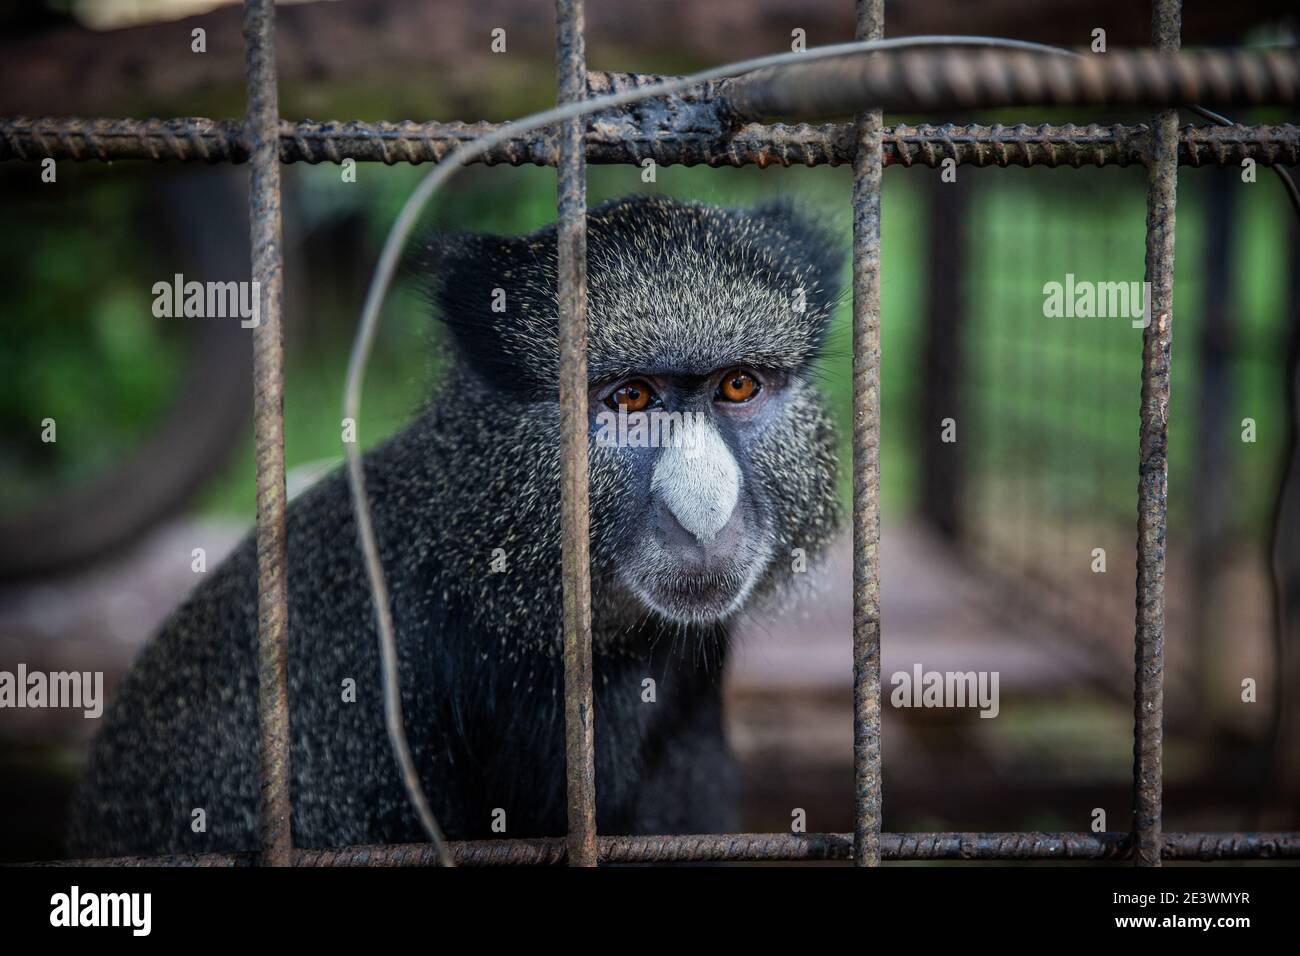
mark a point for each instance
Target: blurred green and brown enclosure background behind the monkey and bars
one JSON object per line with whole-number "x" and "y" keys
{"x": 989, "y": 542}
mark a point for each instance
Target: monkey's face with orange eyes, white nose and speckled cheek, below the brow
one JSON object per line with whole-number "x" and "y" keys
{"x": 704, "y": 483}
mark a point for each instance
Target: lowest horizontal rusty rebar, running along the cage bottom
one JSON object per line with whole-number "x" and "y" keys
{"x": 1206, "y": 847}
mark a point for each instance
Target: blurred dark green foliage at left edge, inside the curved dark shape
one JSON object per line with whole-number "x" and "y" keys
{"x": 83, "y": 347}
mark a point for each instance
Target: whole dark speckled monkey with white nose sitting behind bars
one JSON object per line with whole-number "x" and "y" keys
{"x": 717, "y": 315}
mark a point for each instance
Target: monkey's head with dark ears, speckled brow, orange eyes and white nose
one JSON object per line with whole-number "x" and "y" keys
{"x": 712, "y": 458}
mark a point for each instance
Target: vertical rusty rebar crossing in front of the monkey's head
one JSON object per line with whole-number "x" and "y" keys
{"x": 571, "y": 193}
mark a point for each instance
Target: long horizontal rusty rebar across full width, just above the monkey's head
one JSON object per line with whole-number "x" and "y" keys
{"x": 683, "y": 132}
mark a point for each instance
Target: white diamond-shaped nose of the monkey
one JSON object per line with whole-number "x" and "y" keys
{"x": 697, "y": 479}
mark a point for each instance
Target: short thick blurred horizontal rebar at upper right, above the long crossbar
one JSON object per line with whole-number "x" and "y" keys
{"x": 961, "y": 79}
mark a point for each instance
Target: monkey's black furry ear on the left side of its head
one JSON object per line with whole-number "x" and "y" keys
{"x": 496, "y": 296}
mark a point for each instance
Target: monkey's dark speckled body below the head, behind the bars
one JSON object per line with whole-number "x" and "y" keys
{"x": 483, "y": 706}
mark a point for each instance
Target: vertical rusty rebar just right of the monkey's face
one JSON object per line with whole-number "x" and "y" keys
{"x": 868, "y": 168}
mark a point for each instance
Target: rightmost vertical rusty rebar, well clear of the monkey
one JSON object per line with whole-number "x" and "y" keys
{"x": 1154, "y": 469}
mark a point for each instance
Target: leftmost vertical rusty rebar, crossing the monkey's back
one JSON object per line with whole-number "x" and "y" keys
{"x": 268, "y": 362}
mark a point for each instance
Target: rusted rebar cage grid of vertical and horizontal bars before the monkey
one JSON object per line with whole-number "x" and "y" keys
{"x": 709, "y": 126}
